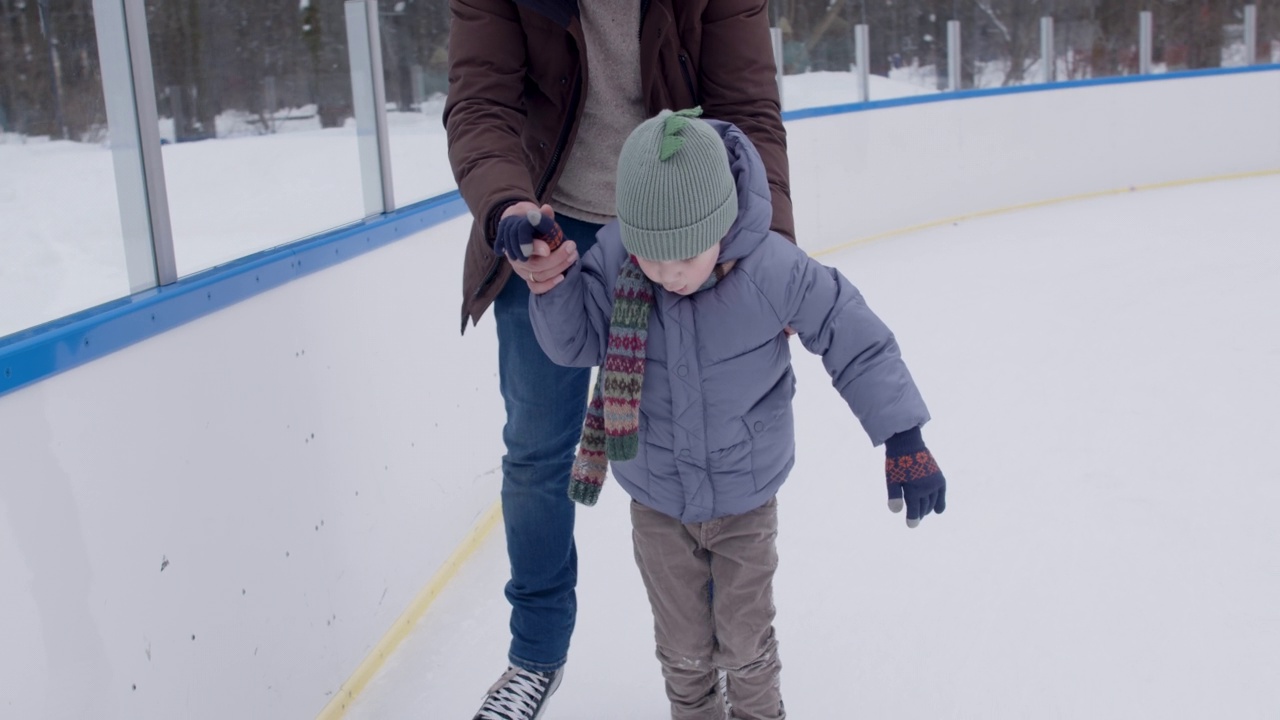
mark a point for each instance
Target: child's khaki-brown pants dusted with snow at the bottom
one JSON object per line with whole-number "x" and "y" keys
{"x": 711, "y": 589}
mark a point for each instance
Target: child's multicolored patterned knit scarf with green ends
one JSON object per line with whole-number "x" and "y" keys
{"x": 612, "y": 426}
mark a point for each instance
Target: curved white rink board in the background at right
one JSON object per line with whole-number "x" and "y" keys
{"x": 916, "y": 165}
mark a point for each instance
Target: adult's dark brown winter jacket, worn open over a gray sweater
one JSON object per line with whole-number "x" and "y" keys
{"x": 518, "y": 75}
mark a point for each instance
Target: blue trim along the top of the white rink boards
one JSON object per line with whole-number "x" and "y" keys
{"x": 45, "y": 350}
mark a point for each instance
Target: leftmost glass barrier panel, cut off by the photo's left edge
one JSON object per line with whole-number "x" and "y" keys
{"x": 62, "y": 248}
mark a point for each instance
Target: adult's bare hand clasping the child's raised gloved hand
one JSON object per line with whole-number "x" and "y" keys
{"x": 527, "y": 249}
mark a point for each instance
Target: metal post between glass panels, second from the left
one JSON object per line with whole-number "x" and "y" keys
{"x": 369, "y": 95}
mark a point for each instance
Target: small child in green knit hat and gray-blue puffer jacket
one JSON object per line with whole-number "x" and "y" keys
{"x": 684, "y": 303}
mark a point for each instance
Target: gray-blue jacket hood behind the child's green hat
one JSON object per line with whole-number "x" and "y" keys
{"x": 755, "y": 200}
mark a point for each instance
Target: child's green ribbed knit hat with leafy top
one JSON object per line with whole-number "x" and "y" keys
{"x": 676, "y": 193}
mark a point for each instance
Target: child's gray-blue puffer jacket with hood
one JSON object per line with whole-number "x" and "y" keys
{"x": 717, "y": 435}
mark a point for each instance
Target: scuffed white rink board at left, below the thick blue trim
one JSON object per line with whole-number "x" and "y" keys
{"x": 230, "y": 516}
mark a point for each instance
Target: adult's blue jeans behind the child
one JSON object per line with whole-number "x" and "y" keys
{"x": 546, "y": 405}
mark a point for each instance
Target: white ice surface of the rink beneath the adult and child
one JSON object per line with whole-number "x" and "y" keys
{"x": 1103, "y": 381}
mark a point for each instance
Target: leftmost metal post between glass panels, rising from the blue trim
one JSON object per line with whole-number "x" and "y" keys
{"x": 134, "y": 127}
